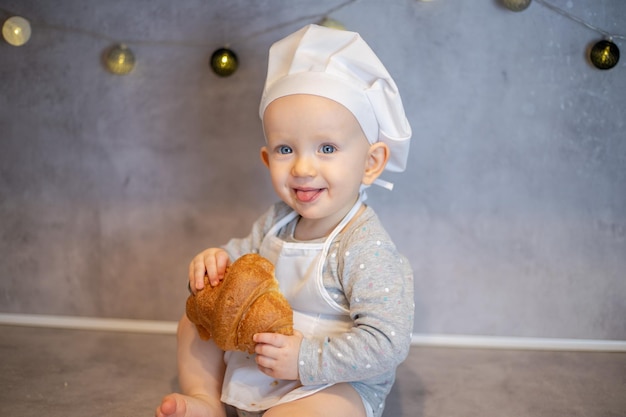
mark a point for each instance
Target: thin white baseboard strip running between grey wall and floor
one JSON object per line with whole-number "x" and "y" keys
{"x": 418, "y": 340}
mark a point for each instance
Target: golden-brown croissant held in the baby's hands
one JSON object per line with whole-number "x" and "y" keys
{"x": 245, "y": 302}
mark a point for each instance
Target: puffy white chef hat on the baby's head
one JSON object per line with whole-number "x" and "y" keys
{"x": 339, "y": 65}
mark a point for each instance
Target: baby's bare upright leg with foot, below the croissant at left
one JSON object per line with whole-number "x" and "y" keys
{"x": 200, "y": 373}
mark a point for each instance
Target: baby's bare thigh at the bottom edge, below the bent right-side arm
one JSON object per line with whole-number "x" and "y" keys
{"x": 336, "y": 401}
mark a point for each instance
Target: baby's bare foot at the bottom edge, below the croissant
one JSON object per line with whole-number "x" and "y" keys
{"x": 177, "y": 405}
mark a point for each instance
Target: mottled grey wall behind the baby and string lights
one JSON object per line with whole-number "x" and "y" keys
{"x": 512, "y": 210}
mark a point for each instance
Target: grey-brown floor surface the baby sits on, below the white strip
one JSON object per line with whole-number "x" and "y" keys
{"x": 67, "y": 373}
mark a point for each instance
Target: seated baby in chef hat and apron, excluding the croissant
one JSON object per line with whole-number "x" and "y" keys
{"x": 333, "y": 122}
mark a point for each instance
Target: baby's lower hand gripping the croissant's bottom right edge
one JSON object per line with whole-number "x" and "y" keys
{"x": 277, "y": 354}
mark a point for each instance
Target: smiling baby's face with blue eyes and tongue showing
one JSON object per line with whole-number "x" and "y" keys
{"x": 317, "y": 155}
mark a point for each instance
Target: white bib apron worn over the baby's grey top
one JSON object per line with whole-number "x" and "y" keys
{"x": 298, "y": 268}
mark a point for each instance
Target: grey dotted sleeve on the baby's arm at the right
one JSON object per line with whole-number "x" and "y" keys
{"x": 378, "y": 285}
